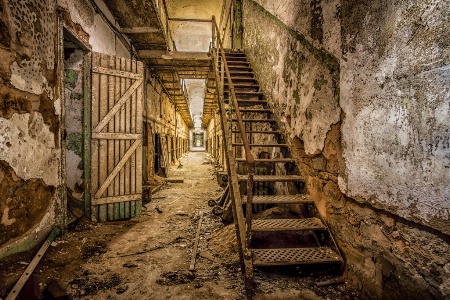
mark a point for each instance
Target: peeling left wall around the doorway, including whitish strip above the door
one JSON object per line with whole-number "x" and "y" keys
{"x": 31, "y": 201}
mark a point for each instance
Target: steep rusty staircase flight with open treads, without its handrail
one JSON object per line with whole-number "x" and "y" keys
{"x": 309, "y": 241}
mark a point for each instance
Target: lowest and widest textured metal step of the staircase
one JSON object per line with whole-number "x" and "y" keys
{"x": 294, "y": 256}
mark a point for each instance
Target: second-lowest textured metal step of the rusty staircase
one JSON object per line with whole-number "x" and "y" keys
{"x": 287, "y": 224}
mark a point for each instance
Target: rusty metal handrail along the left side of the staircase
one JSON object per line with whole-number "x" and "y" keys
{"x": 243, "y": 224}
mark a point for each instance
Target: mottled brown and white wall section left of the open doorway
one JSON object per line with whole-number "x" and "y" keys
{"x": 29, "y": 126}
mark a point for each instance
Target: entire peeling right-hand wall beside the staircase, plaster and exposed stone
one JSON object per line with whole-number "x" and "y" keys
{"x": 362, "y": 91}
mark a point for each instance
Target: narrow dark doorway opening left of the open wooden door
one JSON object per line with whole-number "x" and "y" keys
{"x": 76, "y": 95}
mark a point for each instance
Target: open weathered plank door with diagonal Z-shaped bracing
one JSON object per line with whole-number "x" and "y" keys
{"x": 116, "y": 160}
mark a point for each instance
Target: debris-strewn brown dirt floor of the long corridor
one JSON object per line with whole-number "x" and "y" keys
{"x": 148, "y": 257}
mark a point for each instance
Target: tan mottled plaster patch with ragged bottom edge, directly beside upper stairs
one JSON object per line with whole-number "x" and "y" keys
{"x": 299, "y": 79}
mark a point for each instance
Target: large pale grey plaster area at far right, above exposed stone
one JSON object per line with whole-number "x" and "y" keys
{"x": 396, "y": 97}
